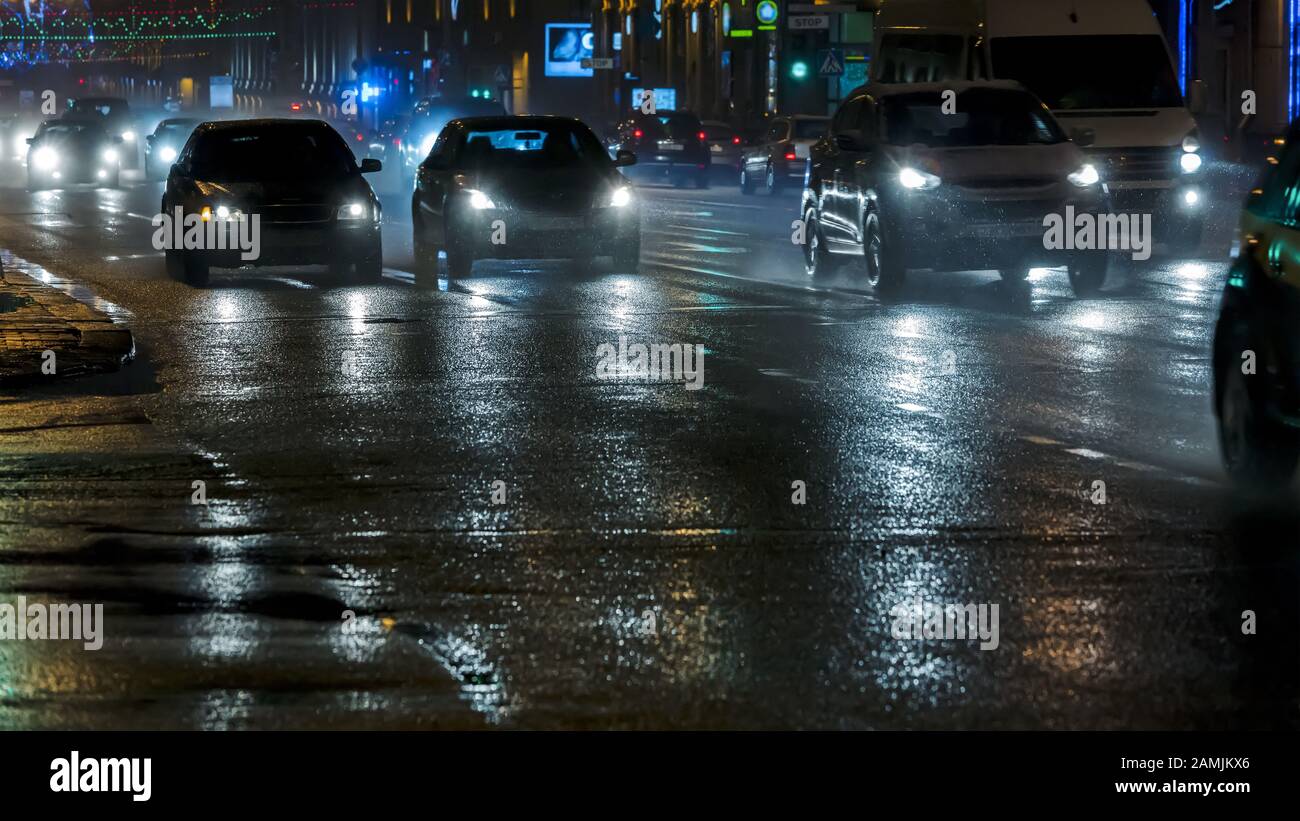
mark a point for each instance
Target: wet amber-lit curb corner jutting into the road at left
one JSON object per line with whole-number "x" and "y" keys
{"x": 37, "y": 318}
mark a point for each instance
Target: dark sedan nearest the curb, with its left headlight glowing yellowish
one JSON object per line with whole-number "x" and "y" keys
{"x": 276, "y": 193}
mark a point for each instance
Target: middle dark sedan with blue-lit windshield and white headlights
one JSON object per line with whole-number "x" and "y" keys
{"x": 523, "y": 189}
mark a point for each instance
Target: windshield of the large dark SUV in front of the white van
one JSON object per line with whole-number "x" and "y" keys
{"x": 983, "y": 118}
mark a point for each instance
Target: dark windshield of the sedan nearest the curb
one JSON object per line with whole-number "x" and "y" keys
{"x": 272, "y": 153}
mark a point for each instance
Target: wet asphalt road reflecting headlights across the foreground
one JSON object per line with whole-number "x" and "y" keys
{"x": 648, "y": 567}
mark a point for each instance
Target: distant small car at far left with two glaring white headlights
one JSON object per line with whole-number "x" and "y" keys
{"x": 73, "y": 151}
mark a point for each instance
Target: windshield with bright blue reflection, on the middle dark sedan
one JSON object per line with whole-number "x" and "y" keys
{"x": 534, "y": 147}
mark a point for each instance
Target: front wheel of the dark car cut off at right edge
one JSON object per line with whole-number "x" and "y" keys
{"x": 1259, "y": 454}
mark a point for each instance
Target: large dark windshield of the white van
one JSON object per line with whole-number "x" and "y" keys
{"x": 1073, "y": 73}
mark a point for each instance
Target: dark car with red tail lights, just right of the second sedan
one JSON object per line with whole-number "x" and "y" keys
{"x": 670, "y": 147}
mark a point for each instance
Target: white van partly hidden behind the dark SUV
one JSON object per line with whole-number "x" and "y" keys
{"x": 1104, "y": 69}
